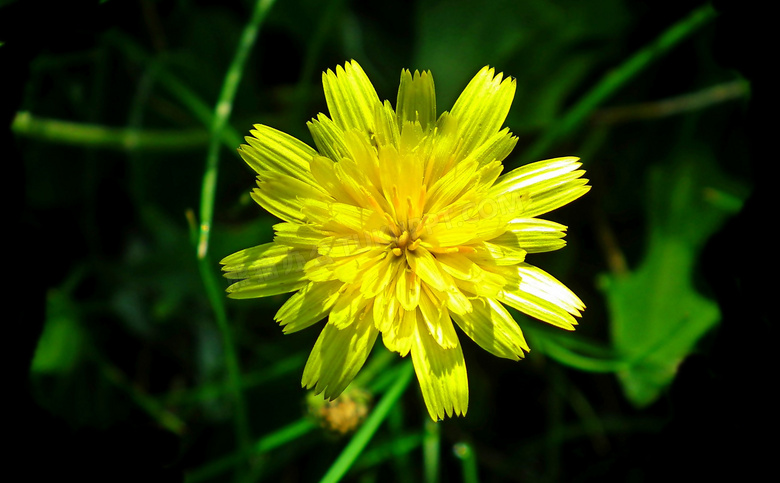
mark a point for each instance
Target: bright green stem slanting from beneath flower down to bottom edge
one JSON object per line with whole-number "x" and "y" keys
{"x": 361, "y": 438}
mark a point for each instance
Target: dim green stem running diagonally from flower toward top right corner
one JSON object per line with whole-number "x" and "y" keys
{"x": 617, "y": 78}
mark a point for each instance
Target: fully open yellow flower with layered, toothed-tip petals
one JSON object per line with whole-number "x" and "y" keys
{"x": 401, "y": 223}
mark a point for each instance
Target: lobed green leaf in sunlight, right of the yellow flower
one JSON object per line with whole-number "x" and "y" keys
{"x": 657, "y": 316}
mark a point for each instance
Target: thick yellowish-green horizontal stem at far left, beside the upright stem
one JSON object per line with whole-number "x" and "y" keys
{"x": 97, "y": 136}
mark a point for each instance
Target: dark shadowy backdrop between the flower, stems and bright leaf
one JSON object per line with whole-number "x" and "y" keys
{"x": 101, "y": 241}
